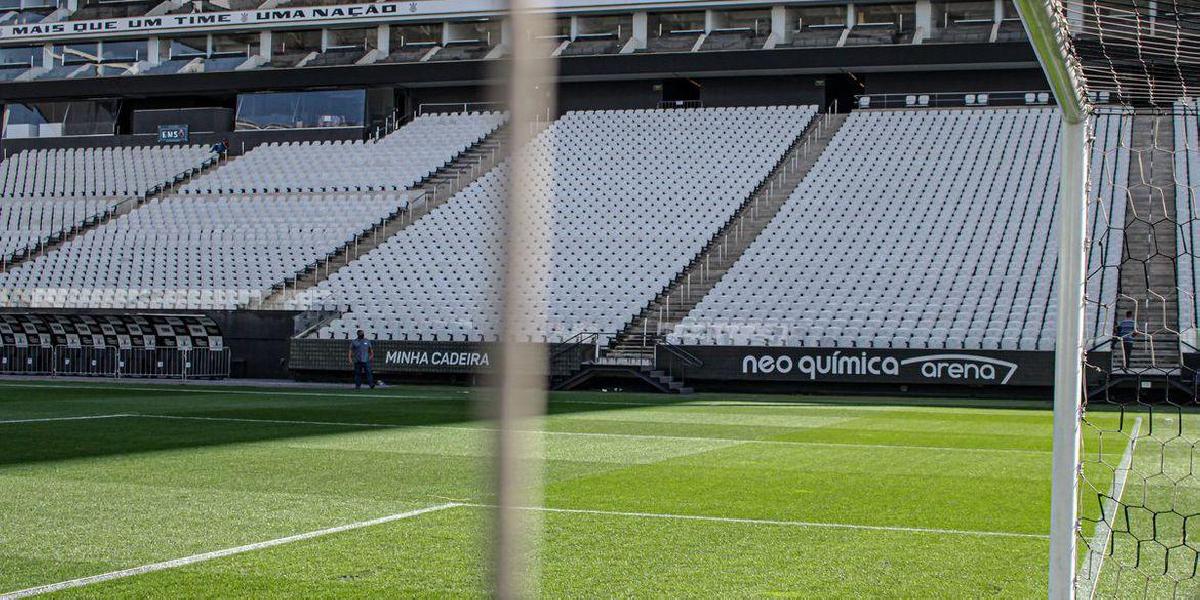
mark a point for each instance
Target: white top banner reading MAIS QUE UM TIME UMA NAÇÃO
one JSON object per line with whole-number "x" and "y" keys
{"x": 373, "y": 14}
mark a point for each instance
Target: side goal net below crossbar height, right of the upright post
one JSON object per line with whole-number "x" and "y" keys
{"x": 1139, "y": 493}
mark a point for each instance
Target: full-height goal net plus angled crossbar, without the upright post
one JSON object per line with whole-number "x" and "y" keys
{"x": 1135, "y": 67}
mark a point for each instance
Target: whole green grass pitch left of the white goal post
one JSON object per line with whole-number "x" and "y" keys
{"x": 943, "y": 499}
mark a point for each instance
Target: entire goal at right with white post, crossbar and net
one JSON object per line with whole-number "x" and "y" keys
{"x": 1118, "y": 225}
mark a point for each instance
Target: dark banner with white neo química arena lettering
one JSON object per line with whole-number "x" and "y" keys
{"x": 872, "y": 365}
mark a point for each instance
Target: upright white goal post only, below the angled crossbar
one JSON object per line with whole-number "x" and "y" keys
{"x": 1069, "y": 359}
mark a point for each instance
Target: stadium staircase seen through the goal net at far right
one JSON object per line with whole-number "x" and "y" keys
{"x": 1150, "y": 241}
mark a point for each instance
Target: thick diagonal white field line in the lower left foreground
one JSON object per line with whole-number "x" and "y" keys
{"x": 220, "y": 554}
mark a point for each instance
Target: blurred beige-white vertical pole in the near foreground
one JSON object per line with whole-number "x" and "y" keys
{"x": 523, "y": 367}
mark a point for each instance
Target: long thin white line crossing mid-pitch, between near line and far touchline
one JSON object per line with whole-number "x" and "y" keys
{"x": 591, "y": 434}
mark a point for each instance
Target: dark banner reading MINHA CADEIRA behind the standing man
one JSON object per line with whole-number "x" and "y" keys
{"x": 395, "y": 357}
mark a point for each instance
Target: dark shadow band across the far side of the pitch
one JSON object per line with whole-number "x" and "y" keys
{"x": 333, "y": 411}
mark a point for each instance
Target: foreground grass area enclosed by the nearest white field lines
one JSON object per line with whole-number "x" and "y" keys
{"x": 445, "y": 555}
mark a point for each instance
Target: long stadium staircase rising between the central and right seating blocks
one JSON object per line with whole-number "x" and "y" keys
{"x": 689, "y": 287}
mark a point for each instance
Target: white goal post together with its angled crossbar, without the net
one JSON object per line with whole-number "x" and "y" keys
{"x": 1049, "y": 41}
